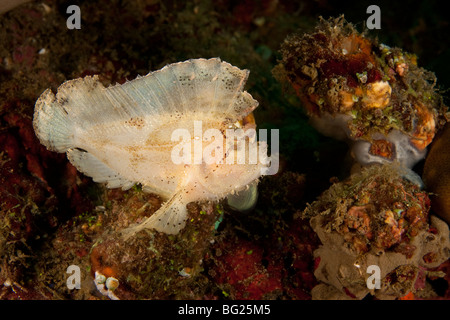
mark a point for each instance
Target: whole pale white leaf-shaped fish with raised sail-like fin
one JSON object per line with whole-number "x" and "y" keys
{"x": 122, "y": 135}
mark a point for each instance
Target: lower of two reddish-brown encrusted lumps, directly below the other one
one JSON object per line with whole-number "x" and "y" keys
{"x": 376, "y": 217}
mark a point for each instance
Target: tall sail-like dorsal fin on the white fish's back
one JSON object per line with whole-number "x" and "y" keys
{"x": 202, "y": 86}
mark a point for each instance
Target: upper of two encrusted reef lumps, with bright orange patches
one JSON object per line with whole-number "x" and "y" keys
{"x": 368, "y": 93}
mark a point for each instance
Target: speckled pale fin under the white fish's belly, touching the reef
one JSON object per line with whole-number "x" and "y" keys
{"x": 169, "y": 219}
